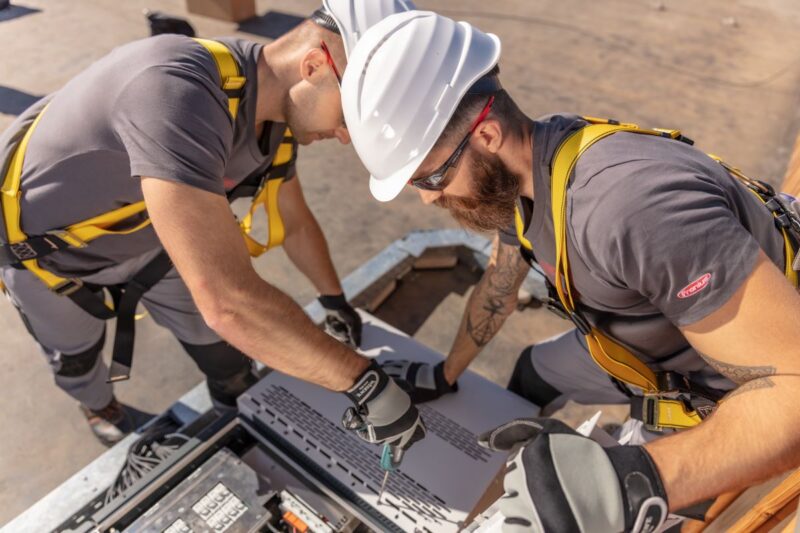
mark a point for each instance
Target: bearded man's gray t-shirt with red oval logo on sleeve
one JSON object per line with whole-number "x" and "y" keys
{"x": 659, "y": 236}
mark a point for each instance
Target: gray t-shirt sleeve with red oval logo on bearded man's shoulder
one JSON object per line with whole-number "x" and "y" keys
{"x": 668, "y": 233}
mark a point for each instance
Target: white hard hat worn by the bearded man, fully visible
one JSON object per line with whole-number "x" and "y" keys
{"x": 403, "y": 82}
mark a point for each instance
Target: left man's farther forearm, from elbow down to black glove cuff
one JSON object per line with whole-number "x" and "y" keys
{"x": 308, "y": 250}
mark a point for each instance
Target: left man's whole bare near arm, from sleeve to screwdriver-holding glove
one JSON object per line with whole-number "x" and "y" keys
{"x": 246, "y": 311}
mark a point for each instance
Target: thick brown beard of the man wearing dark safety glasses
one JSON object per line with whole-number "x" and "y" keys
{"x": 495, "y": 192}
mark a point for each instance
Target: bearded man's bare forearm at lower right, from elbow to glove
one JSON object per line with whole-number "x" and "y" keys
{"x": 752, "y": 436}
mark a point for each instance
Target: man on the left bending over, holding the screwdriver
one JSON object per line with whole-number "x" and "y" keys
{"x": 123, "y": 180}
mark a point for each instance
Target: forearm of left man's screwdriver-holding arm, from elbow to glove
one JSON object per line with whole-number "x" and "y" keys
{"x": 270, "y": 327}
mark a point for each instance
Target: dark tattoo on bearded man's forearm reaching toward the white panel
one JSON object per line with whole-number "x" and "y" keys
{"x": 493, "y": 293}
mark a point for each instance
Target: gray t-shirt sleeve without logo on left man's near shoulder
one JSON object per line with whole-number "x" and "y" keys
{"x": 175, "y": 127}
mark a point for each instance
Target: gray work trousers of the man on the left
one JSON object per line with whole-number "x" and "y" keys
{"x": 62, "y": 329}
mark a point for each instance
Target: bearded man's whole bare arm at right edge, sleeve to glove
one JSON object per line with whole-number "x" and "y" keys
{"x": 754, "y": 340}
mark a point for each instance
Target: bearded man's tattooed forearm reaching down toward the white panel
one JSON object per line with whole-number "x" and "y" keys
{"x": 492, "y": 300}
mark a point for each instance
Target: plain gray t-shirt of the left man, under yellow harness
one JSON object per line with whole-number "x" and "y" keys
{"x": 152, "y": 107}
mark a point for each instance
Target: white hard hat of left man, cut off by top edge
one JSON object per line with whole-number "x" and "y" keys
{"x": 354, "y": 17}
